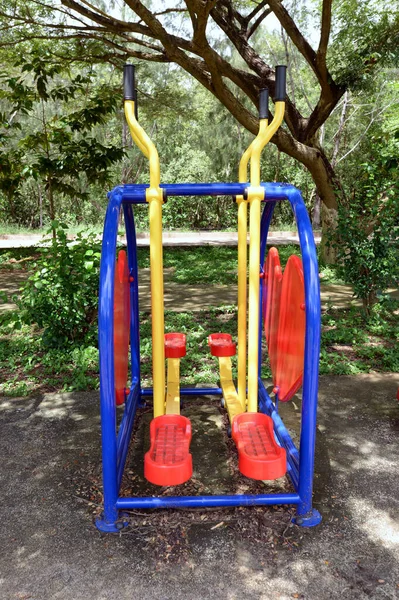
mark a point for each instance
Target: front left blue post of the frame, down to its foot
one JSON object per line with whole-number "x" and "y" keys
{"x": 107, "y": 522}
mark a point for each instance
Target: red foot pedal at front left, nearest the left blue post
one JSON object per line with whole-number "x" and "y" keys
{"x": 168, "y": 461}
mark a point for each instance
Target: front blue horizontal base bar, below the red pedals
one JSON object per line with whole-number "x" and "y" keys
{"x": 206, "y": 501}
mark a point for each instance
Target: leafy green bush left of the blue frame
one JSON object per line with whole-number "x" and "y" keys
{"x": 62, "y": 294}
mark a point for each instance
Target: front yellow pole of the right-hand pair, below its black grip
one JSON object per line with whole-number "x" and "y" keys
{"x": 255, "y": 196}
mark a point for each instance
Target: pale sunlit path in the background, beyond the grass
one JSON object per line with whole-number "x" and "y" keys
{"x": 170, "y": 238}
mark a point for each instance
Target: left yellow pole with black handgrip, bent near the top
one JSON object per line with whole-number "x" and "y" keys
{"x": 155, "y": 199}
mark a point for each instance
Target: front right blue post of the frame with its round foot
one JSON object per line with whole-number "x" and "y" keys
{"x": 306, "y": 515}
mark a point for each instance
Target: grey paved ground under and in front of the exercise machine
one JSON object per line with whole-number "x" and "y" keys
{"x": 50, "y": 549}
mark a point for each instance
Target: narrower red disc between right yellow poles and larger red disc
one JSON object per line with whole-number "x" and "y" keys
{"x": 271, "y": 304}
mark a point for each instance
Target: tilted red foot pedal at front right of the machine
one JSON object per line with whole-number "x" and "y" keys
{"x": 259, "y": 456}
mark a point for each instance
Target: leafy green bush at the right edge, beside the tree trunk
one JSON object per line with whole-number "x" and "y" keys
{"x": 367, "y": 244}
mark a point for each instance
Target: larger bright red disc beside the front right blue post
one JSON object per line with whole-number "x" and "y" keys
{"x": 291, "y": 331}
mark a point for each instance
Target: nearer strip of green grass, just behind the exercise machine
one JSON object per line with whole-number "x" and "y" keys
{"x": 350, "y": 344}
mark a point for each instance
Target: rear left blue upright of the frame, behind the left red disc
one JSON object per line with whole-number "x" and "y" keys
{"x": 134, "y": 293}
